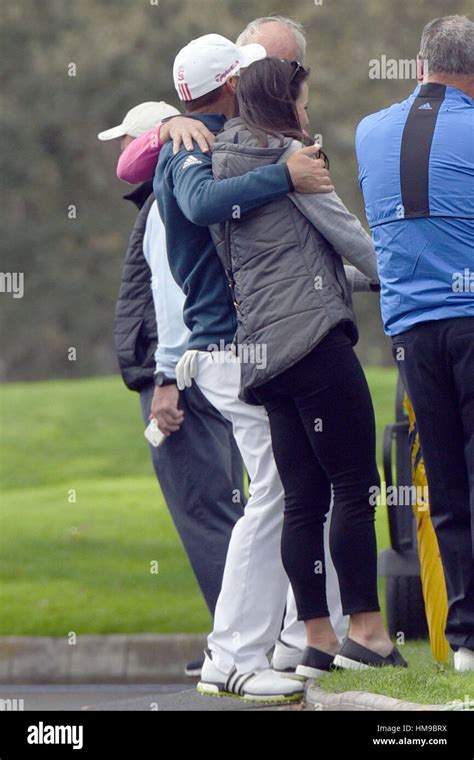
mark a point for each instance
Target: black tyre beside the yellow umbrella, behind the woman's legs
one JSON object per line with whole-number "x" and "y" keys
{"x": 405, "y": 607}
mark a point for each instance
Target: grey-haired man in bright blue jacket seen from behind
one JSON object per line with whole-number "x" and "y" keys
{"x": 416, "y": 162}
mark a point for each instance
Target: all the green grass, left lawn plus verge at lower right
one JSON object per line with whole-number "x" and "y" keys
{"x": 85, "y": 566}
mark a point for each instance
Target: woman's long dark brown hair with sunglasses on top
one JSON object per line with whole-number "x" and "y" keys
{"x": 267, "y": 93}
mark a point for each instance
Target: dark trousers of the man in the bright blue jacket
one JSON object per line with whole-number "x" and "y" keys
{"x": 436, "y": 362}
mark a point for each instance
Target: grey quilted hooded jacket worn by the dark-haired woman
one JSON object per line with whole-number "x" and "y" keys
{"x": 284, "y": 263}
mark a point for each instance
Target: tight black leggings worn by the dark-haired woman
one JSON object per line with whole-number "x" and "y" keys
{"x": 323, "y": 432}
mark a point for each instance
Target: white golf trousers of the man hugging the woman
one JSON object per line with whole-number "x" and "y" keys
{"x": 255, "y": 588}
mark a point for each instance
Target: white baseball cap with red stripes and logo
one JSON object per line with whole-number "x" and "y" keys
{"x": 206, "y": 63}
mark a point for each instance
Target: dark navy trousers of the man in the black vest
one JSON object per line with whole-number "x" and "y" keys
{"x": 200, "y": 472}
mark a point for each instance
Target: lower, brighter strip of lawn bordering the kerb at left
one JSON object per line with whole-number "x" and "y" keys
{"x": 86, "y": 567}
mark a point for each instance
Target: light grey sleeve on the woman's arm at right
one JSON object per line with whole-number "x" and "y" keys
{"x": 331, "y": 218}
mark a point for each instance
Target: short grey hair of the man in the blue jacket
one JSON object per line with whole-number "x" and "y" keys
{"x": 447, "y": 44}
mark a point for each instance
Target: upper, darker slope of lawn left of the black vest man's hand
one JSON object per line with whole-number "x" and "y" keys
{"x": 62, "y": 431}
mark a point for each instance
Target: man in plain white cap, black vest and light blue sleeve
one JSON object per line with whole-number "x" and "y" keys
{"x": 198, "y": 466}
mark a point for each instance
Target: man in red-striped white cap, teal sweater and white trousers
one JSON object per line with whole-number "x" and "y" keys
{"x": 251, "y": 605}
